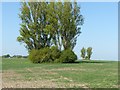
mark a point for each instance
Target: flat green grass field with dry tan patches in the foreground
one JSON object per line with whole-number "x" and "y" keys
{"x": 21, "y": 73}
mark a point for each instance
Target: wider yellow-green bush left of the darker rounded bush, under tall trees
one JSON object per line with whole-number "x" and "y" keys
{"x": 44, "y": 55}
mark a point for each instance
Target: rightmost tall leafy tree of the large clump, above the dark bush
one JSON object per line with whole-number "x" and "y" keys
{"x": 70, "y": 24}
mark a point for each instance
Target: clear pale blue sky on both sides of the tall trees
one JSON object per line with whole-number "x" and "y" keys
{"x": 100, "y": 29}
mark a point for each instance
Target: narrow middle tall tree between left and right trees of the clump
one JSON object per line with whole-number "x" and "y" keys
{"x": 53, "y": 17}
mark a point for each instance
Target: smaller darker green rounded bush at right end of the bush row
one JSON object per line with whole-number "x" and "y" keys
{"x": 67, "y": 56}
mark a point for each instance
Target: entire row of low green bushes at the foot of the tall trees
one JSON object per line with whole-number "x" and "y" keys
{"x": 52, "y": 55}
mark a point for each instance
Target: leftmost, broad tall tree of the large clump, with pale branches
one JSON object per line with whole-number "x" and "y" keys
{"x": 32, "y": 31}
